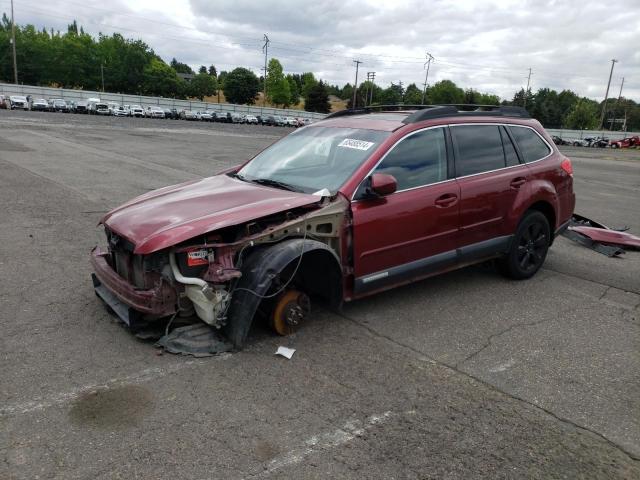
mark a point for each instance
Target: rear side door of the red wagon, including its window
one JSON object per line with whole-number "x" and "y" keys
{"x": 492, "y": 179}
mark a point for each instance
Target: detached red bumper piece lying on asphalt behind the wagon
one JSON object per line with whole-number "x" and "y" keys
{"x": 611, "y": 242}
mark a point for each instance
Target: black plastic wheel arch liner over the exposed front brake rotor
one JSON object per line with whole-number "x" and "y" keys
{"x": 319, "y": 271}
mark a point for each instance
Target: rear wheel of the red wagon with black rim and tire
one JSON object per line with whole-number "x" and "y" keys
{"x": 528, "y": 248}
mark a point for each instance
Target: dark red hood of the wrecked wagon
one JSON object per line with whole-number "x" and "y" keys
{"x": 170, "y": 215}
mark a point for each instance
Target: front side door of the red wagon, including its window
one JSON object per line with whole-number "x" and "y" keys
{"x": 412, "y": 232}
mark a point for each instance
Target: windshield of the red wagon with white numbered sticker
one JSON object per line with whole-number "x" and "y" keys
{"x": 312, "y": 159}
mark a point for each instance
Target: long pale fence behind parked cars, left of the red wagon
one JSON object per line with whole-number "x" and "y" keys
{"x": 76, "y": 95}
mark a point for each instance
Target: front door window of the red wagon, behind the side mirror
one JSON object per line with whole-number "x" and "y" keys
{"x": 419, "y": 159}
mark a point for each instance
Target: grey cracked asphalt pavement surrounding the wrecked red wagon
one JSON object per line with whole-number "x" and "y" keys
{"x": 466, "y": 375}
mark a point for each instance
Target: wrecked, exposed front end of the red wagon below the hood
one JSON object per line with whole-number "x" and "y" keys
{"x": 224, "y": 277}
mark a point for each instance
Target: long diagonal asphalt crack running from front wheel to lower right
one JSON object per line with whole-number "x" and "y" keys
{"x": 454, "y": 368}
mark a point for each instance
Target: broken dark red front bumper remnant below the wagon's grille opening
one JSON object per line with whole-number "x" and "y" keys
{"x": 159, "y": 301}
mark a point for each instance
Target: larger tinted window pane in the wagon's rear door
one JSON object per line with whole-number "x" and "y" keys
{"x": 478, "y": 149}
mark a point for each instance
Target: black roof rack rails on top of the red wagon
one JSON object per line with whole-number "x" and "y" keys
{"x": 425, "y": 112}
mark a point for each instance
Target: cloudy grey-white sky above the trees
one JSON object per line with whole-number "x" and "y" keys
{"x": 488, "y": 45}
